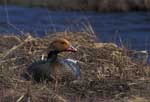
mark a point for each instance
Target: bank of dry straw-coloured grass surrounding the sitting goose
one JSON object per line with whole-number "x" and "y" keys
{"x": 107, "y": 72}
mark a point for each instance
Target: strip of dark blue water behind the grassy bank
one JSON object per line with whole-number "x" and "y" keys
{"x": 131, "y": 29}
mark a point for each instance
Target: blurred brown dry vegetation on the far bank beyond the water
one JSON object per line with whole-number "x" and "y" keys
{"x": 96, "y": 5}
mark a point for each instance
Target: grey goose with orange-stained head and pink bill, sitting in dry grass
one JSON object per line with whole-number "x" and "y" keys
{"x": 54, "y": 68}
